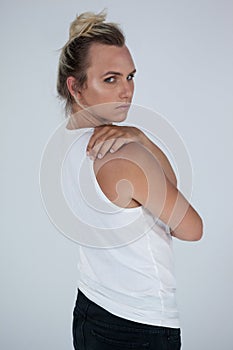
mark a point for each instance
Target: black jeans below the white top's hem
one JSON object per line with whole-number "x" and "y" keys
{"x": 94, "y": 328}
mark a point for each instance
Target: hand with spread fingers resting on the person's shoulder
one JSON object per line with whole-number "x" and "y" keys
{"x": 109, "y": 138}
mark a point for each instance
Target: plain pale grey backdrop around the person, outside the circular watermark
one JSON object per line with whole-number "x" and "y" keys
{"x": 183, "y": 51}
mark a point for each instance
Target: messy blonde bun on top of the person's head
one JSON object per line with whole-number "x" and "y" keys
{"x": 83, "y": 24}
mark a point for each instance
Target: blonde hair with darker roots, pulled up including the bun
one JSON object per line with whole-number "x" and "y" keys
{"x": 86, "y": 29}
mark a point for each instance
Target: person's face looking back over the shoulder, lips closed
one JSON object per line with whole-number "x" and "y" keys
{"x": 109, "y": 87}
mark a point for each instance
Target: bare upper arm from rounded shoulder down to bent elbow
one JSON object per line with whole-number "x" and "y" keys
{"x": 134, "y": 173}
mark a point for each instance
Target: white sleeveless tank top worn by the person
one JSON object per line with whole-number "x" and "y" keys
{"x": 126, "y": 259}
